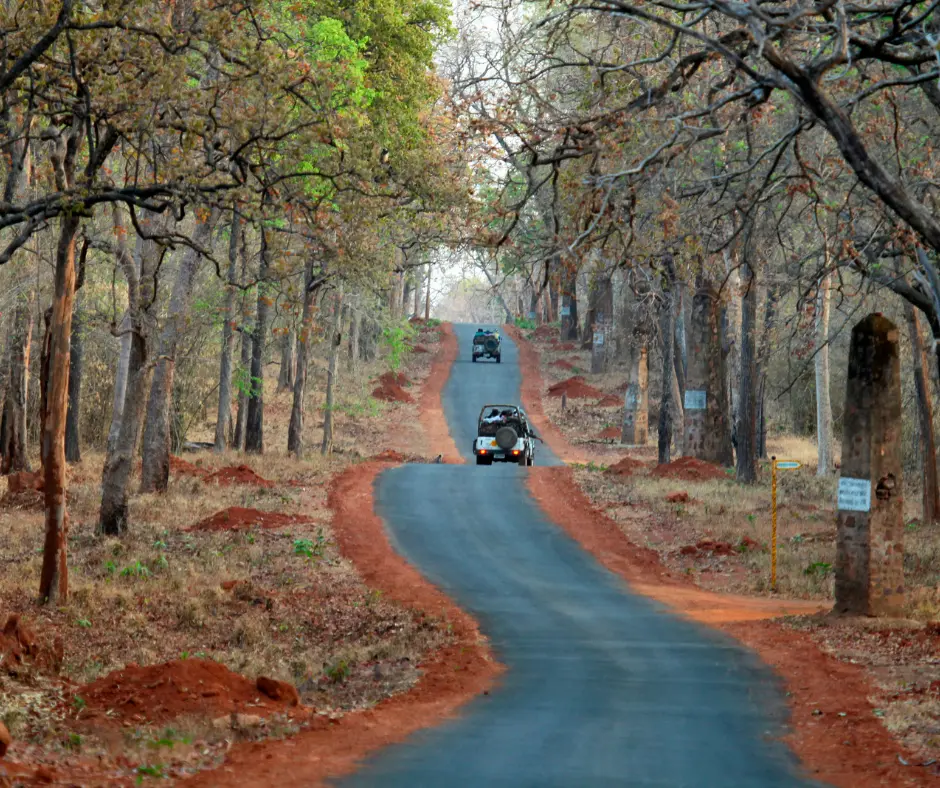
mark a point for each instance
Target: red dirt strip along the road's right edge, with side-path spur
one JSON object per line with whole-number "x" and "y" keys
{"x": 850, "y": 751}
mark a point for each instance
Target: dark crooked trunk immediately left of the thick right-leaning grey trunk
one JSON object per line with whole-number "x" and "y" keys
{"x": 115, "y": 478}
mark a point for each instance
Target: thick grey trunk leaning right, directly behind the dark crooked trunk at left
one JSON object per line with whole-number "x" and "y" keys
{"x": 155, "y": 471}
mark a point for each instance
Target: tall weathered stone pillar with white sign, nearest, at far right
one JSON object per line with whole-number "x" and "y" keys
{"x": 869, "y": 573}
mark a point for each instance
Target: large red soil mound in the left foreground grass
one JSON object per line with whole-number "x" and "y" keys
{"x": 159, "y": 693}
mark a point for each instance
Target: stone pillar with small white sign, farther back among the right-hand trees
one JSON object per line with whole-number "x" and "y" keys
{"x": 707, "y": 436}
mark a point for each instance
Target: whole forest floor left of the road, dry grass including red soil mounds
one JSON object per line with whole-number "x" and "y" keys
{"x": 151, "y": 669}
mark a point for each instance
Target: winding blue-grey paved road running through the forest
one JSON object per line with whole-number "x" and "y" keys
{"x": 604, "y": 687}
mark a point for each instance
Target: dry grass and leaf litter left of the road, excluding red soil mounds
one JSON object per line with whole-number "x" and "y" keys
{"x": 299, "y": 611}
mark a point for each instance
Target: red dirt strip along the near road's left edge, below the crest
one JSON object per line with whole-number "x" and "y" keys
{"x": 450, "y": 677}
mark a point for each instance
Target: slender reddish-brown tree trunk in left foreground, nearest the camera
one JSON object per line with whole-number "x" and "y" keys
{"x": 54, "y": 578}
